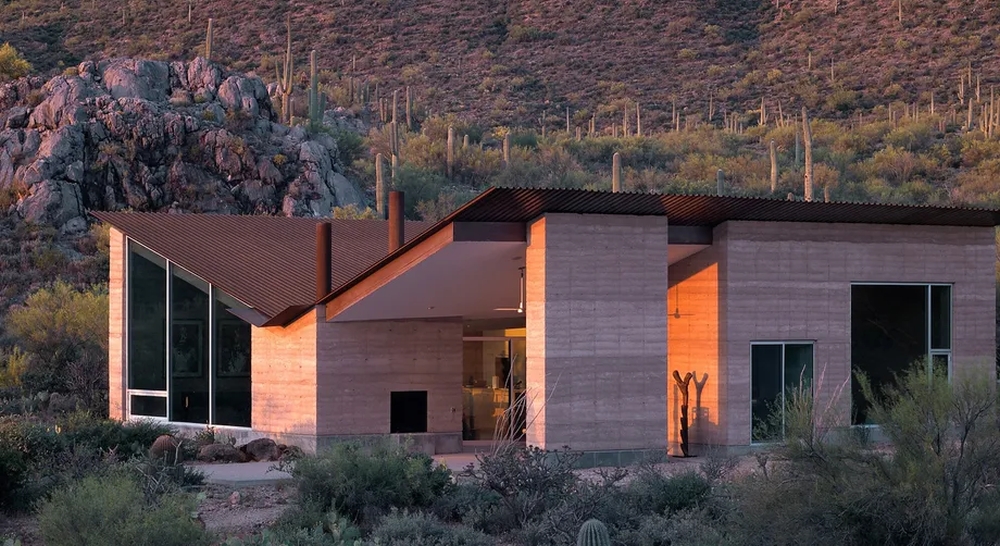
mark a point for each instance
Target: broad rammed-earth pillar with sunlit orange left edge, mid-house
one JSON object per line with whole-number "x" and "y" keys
{"x": 597, "y": 332}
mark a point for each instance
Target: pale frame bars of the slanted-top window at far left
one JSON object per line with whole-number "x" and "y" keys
{"x": 126, "y": 350}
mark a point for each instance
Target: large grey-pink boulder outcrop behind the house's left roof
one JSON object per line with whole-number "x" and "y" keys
{"x": 151, "y": 135}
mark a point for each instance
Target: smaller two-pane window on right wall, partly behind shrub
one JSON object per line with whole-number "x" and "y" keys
{"x": 777, "y": 371}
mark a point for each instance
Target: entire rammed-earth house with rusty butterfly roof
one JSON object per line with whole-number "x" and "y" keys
{"x": 558, "y": 316}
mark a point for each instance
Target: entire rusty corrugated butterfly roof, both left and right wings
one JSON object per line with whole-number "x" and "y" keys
{"x": 267, "y": 262}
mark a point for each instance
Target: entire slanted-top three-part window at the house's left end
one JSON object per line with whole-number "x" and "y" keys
{"x": 179, "y": 323}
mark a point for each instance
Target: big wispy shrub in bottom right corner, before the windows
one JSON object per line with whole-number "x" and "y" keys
{"x": 934, "y": 486}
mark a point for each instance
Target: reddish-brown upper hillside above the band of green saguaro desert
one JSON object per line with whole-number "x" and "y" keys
{"x": 515, "y": 62}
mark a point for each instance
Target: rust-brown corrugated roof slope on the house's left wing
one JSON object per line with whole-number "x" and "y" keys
{"x": 267, "y": 262}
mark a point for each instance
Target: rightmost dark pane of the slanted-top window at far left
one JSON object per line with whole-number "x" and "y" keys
{"x": 232, "y": 365}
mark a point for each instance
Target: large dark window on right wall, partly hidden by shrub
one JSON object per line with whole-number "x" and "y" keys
{"x": 893, "y": 327}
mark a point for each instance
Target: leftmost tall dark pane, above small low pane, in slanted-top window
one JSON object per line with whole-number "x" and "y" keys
{"x": 147, "y": 320}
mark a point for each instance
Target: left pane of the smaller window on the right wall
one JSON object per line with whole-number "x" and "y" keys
{"x": 766, "y": 391}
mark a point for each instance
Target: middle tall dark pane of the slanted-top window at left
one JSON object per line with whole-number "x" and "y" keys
{"x": 188, "y": 348}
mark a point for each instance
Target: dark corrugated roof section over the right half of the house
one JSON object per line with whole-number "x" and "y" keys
{"x": 523, "y": 204}
